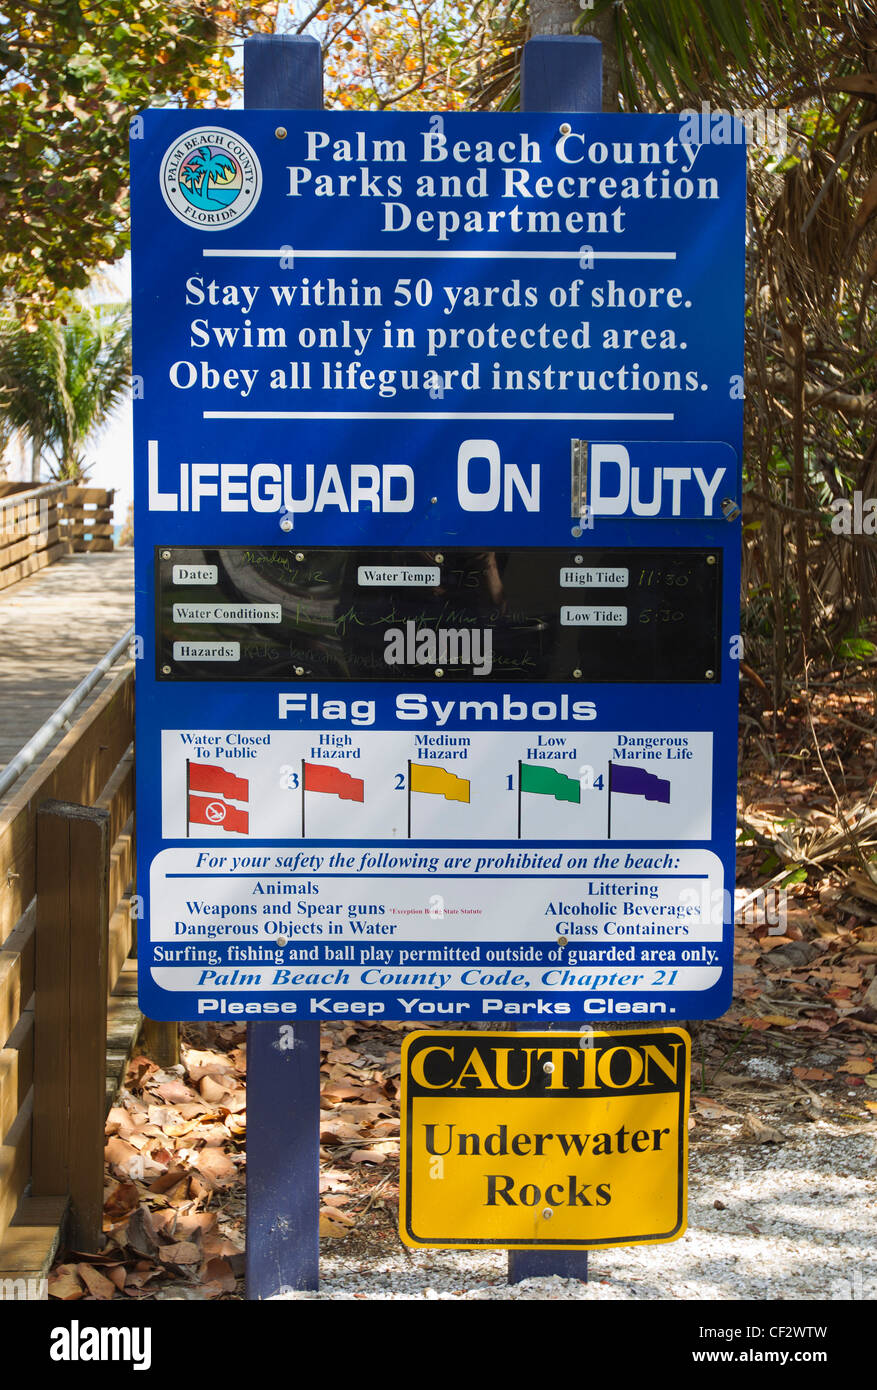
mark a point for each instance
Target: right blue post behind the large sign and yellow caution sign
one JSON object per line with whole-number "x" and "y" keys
{"x": 559, "y": 73}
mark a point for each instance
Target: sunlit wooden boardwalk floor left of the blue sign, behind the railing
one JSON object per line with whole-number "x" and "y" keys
{"x": 55, "y": 628}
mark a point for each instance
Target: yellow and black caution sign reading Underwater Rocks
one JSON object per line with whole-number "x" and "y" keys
{"x": 544, "y": 1140}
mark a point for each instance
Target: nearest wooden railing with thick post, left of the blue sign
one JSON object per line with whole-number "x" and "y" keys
{"x": 67, "y": 875}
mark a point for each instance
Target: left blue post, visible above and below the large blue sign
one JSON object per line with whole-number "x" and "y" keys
{"x": 283, "y": 1179}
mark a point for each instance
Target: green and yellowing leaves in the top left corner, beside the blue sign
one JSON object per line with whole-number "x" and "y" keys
{"x": 73, "y": 74}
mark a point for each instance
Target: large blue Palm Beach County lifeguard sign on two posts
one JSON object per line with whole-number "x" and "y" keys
{"x": 438, "y": 437}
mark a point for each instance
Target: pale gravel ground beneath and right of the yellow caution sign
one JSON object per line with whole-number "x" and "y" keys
{"x": 796, "y": 1221}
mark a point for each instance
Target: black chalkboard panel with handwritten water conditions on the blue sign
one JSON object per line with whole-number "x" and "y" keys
{"x": 429, "y": 615}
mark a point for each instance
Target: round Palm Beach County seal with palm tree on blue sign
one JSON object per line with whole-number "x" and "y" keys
{"x": 211, "y": 179}
